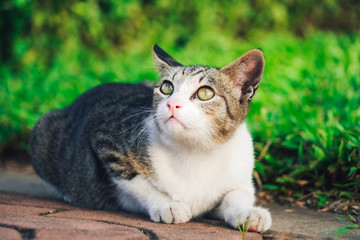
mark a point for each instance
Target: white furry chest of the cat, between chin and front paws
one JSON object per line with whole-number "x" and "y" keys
{"x": 200, "y": 180}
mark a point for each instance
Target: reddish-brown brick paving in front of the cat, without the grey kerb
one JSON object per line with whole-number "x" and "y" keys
{"x": 50, "y": 219}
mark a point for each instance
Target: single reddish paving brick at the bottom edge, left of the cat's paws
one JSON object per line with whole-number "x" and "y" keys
{"x": 62, "y": 228}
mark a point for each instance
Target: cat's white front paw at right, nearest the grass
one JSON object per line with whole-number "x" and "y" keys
{"x": 258, "y": 218}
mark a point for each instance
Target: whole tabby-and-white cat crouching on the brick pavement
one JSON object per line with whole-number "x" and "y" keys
{"x": 175, "y": 151}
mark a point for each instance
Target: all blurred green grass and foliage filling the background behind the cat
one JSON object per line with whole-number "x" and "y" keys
{"x": 304, "y": 118}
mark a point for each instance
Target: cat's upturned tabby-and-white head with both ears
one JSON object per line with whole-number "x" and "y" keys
{"x": 203, "y": 106}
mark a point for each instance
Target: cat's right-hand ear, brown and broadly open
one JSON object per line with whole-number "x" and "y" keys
{"x": 245, "y": 73}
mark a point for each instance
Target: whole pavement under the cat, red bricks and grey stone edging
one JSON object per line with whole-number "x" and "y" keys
{"x": 28, "y": 211}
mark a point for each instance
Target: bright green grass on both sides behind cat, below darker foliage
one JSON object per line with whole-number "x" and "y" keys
{"x": 304, "y": 118}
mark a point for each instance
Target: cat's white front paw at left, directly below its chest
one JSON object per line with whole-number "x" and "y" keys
{"x": 173, "y": 212}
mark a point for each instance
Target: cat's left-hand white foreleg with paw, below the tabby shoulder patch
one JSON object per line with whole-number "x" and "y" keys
{"x": 140, "y": 195}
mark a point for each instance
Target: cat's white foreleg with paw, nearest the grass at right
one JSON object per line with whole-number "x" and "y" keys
{"x": 237, "y": 208}
